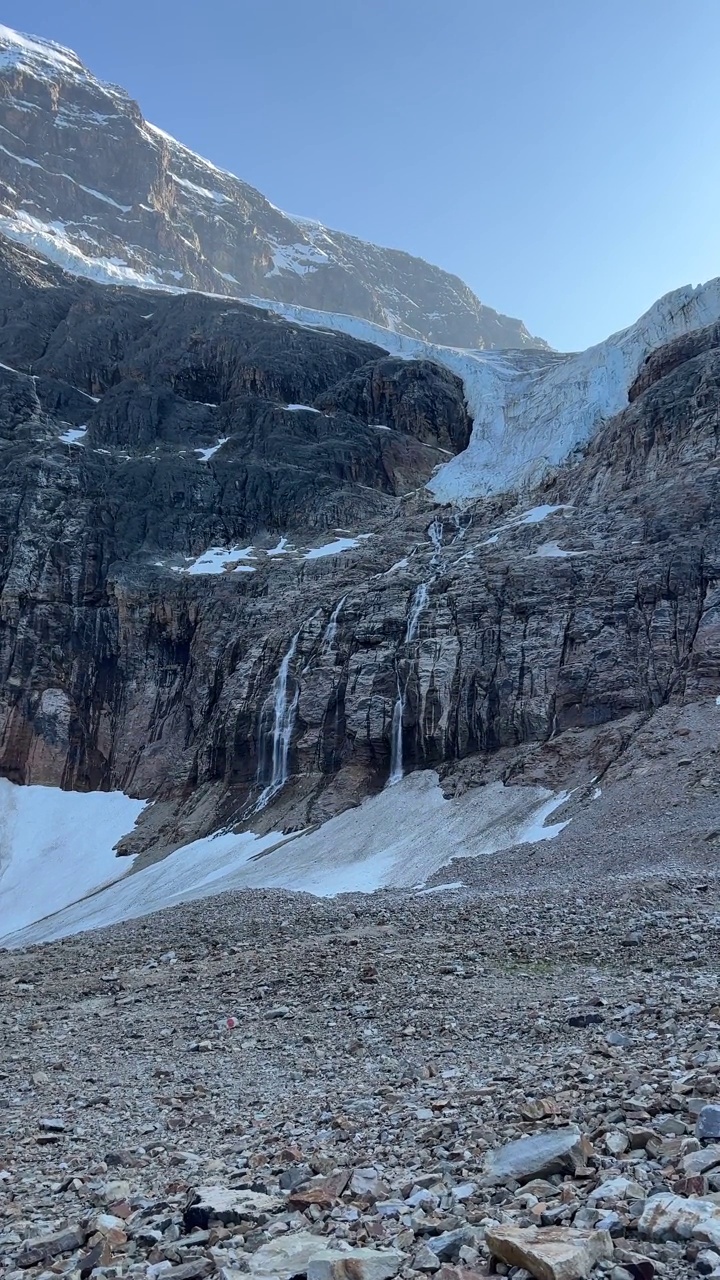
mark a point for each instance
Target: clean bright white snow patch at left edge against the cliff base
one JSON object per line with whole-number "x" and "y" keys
{"x": 57, "y": 847}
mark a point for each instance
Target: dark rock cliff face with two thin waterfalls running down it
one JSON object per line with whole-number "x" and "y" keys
{"x": 225, "y": 587}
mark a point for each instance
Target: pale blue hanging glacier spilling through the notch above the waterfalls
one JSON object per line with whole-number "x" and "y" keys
{"x": 531, "y": 409}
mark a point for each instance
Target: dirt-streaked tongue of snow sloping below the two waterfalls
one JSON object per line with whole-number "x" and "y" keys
{"x": 395, "y": 840}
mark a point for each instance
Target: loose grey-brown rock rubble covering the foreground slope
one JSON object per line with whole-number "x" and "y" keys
{"x": 446, "y": 1086}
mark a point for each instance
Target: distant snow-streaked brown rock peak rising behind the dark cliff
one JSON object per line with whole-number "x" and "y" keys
{"x": 94, "y": 188}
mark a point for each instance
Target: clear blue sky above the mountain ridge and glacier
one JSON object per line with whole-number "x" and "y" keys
{"x": 559, "y": 156}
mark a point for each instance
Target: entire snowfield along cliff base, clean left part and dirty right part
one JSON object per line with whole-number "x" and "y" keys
{"x": 395, "y": 840}
